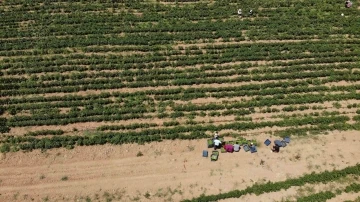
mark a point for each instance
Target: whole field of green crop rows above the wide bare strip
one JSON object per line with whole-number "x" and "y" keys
{"x": 146, "y": 62}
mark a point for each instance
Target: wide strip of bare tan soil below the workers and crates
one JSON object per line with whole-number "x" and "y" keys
{"x": 173, "y": 165}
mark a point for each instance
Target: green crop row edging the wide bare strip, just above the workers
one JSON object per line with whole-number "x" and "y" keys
{"x": 157, "y": 134}
